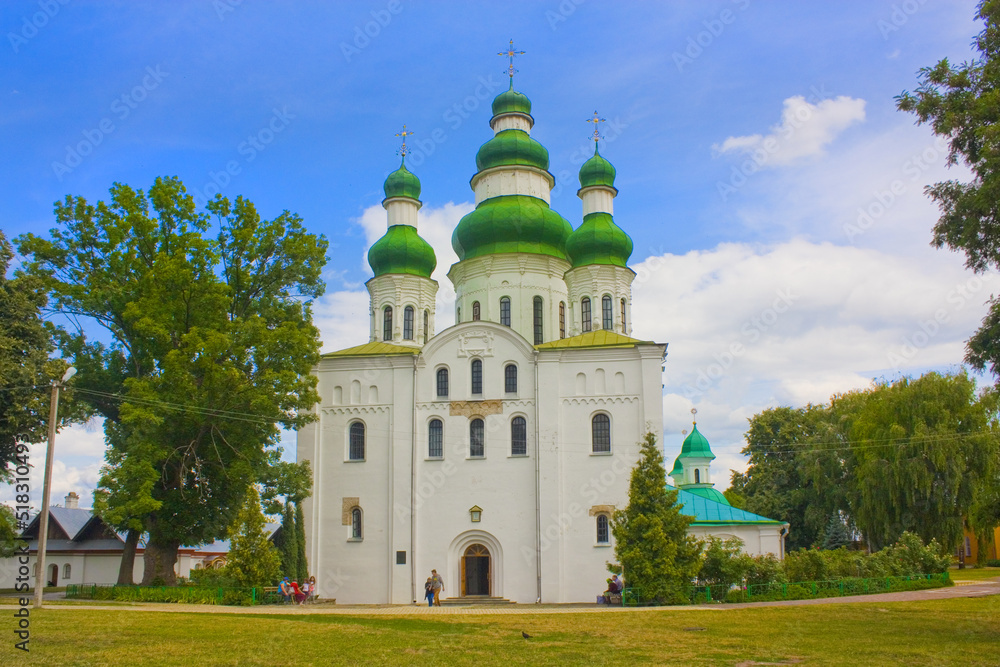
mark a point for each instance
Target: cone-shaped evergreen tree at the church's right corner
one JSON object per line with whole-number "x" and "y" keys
{"x": 656, "y": 555}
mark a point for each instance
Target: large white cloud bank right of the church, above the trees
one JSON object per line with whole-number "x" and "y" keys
{"x": 752, "y": 327}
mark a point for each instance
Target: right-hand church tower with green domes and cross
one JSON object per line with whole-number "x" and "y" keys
{"x": 599, "y": 282}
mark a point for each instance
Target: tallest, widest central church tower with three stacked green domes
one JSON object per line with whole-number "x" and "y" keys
{"x": 512, "y": 247}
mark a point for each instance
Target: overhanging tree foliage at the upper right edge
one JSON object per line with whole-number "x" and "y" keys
{"x": 962, "y": 105}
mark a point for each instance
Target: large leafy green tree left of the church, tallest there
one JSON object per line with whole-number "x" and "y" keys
{"x": 211, "y": 346}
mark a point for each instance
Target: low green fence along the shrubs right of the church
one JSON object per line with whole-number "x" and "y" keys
{"x": 799, "y": 590}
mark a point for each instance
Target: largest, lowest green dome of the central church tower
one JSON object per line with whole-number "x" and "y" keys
{"x": 511, "y": 223}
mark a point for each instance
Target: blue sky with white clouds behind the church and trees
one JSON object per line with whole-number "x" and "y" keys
{"x": 773, "y": 192}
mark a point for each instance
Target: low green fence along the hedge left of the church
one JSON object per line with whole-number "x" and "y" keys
{"x": 189, "y": 594}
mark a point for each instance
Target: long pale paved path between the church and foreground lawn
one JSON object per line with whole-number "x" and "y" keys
{"x": 966, "y": 590}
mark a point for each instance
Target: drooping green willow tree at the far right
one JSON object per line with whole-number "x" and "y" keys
{"x": 921, "y": 453}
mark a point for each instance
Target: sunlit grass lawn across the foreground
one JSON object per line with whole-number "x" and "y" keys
{"x": 938, "y": 632}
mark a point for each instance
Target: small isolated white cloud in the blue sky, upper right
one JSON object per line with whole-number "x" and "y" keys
{"x": 804, "y": 131}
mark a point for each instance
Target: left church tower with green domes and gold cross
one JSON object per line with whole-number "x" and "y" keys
{"x": 402, "y": 291}
